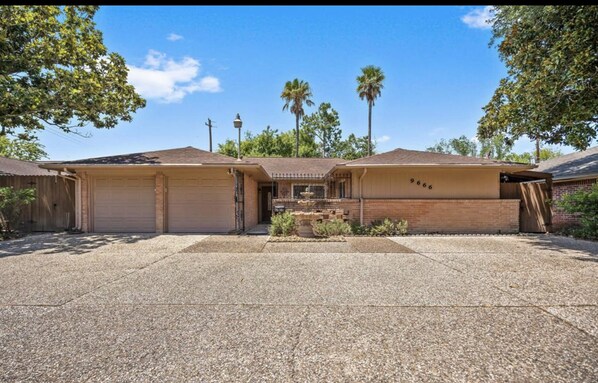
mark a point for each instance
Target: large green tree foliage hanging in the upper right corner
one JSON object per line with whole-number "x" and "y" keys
{"x": 551, "y": 88}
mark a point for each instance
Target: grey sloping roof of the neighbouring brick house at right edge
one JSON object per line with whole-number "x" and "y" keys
{"x": 574, "y": 165}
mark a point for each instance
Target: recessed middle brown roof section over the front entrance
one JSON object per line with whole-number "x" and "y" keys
{"x": 279, "y": 168}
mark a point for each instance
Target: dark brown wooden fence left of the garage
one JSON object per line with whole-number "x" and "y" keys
{"x": 54, "y": 205}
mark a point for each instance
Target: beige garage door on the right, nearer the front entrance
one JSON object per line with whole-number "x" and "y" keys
{"x": 203, "y": 203}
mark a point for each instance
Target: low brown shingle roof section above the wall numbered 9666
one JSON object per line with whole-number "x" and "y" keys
{"x": 415, "y": 157}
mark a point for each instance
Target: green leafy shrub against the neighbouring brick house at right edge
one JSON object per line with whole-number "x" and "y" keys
{"x": 584, "y": 203}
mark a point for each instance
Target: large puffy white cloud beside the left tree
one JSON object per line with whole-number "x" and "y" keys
{"x": 167, "y": 80}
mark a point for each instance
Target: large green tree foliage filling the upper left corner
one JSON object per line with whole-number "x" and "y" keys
{"x": 55, "y": 70}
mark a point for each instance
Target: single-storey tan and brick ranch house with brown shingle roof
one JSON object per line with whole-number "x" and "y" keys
{"x": 191, "y": 190}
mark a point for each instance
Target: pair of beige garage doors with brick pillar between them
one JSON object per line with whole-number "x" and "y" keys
{"x": 199, "y": 201}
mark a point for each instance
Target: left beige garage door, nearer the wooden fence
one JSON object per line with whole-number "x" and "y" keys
{"x": 124, "y": 204}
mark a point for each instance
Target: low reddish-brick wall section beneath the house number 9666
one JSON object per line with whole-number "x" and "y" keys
{"x": 448, "y": 215}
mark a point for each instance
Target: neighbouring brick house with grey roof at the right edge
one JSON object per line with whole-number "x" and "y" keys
{"x": 571, "y": 172}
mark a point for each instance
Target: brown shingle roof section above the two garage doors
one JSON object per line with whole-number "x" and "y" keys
{"x": 180, "y": 156}
